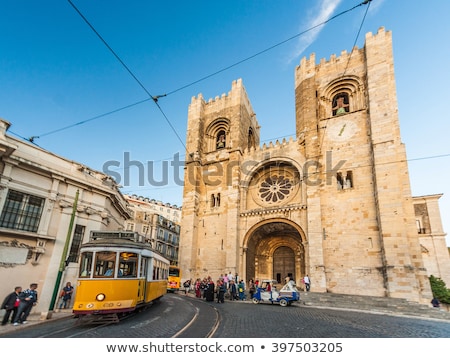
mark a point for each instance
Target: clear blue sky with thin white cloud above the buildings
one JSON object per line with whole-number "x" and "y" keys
{"x": 59, "y": 80}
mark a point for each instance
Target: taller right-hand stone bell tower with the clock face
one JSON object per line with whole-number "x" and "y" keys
{"x": 363, "y": 216}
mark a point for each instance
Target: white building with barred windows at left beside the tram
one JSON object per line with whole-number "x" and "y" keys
{"x": 48, "y": 207}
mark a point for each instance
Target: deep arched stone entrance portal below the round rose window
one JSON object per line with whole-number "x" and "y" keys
{"x": 275, "y": 249}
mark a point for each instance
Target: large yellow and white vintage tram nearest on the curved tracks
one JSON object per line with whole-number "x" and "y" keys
{"x": 119, "y": 273}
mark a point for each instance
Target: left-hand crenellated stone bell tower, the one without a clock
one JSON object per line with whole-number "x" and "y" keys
{"x": 218, "y": 133}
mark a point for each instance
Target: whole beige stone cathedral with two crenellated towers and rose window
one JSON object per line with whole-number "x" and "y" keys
{"x": 334, "y": 204}
